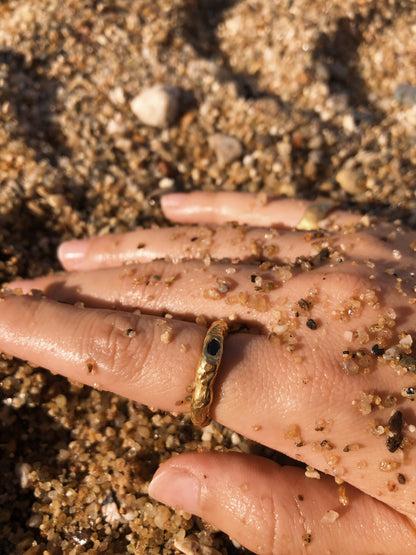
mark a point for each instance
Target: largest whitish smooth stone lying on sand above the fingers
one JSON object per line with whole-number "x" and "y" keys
{"x": 157, "y": 106}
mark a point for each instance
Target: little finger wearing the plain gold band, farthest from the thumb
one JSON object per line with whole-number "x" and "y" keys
{"x": 243, "y": 208}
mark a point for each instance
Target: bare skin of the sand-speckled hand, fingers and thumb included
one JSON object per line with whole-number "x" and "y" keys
{"x": 297, "y": 399}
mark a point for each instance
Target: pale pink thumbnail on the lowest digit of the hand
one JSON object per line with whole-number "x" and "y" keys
{"x": 176, "y": 487}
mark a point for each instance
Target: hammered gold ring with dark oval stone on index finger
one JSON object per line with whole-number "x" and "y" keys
{"x": 206, "y": 372}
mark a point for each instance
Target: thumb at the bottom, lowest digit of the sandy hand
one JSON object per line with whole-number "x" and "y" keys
{"x": 273, "y": 509}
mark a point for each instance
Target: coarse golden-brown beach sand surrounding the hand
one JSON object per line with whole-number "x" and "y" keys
{"x": 304, "y": 117}
